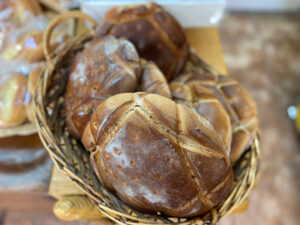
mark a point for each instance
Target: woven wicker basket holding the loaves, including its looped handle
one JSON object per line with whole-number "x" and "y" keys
{"x": 73, "y": 159}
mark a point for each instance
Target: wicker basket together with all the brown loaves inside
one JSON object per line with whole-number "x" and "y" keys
{"x": 147, "y": 145}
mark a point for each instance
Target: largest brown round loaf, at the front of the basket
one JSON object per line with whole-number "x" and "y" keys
{"x": 157, "y": 155}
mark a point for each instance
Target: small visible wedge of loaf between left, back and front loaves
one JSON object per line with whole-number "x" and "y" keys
{"x": 153, "y": 81}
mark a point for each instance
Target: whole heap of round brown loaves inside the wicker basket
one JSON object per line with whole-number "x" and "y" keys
{"x": 161, "y": 139}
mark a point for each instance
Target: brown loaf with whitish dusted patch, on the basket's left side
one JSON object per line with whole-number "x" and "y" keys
{"x": 105, "y": 67}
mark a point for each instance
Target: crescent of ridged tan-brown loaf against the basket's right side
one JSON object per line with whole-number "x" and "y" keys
{"x": 238, "y": 103}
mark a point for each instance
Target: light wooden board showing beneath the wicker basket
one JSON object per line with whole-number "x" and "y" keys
{"x": 207, "y": 43}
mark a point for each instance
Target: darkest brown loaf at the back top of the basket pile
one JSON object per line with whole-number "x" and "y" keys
{"x": 156, "y": 35}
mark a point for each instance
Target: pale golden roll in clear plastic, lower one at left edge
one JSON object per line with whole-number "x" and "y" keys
{"x": 13, "y": 99}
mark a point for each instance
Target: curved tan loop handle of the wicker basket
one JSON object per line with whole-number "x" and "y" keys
{"x": 57, "y": 20}
